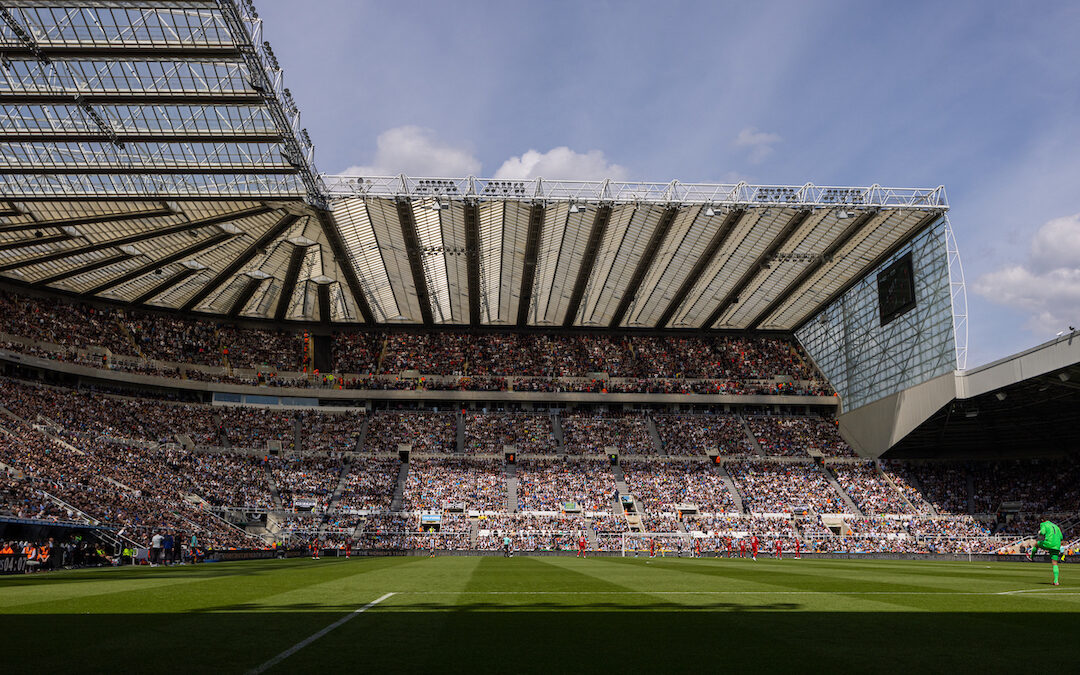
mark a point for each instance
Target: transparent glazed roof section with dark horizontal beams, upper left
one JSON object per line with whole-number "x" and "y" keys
{"x": 145, "y": 99}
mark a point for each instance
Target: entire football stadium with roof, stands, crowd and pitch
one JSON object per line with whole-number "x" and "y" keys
{"x": 255, "y": 417}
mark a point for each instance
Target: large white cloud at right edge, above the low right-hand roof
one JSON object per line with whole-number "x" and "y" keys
{"x": 1047, "y": 286}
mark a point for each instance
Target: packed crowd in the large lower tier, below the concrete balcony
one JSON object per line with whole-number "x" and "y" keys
{"x": 92, "y": 456}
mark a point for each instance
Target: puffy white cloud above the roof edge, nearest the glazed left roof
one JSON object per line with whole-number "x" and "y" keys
{"x": 415, "y": 151}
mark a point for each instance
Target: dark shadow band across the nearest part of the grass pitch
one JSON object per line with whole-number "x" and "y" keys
{"x": 492, "y": 638}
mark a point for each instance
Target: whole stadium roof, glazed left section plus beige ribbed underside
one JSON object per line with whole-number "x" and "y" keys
{"x": 153, "y": 156}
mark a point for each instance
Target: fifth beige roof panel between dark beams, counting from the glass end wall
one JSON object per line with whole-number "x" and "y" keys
{"x": 625, "y": 241}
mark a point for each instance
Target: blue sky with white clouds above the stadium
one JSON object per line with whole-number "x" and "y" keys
{"x": 982, "y": 98}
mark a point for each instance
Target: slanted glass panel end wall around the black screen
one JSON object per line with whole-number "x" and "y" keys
{"x": 866, "y": 361}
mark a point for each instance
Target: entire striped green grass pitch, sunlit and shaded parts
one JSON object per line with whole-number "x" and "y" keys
{"x": 542, "y": 615}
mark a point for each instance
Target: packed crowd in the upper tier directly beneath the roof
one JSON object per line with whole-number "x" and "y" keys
{"x": 701, "y": 364}
